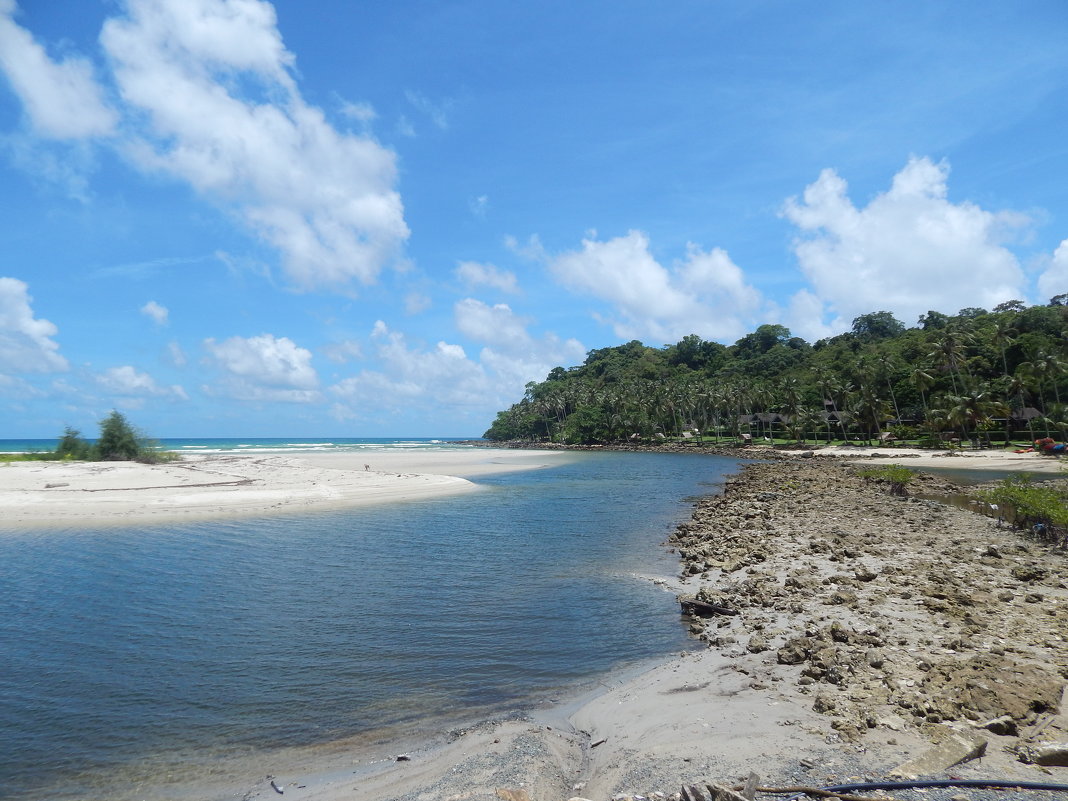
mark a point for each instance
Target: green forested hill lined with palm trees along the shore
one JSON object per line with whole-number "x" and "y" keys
{"x": 978, "y": 375}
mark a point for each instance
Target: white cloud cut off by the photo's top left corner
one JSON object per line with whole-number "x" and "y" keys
{"x": 61, "y": 98}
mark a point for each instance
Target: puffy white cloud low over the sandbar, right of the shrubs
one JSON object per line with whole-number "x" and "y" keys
{"x": 264, "y": 368}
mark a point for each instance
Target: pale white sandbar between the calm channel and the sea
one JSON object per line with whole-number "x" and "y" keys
{"x": 35, "y": 494}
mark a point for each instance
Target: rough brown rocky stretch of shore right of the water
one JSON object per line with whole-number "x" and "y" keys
{"x": 891, "y": 614}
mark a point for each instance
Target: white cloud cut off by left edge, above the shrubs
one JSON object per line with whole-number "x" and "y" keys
{"x": 26, "y": 342}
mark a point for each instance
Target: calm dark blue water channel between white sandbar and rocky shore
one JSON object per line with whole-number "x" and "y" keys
{"x": 134, "y": 653}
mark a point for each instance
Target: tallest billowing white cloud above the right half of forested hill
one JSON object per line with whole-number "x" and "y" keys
{"x": 908, "y": 252}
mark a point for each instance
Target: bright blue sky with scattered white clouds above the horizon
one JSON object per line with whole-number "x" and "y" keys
{"x": 337, "y": 218}
